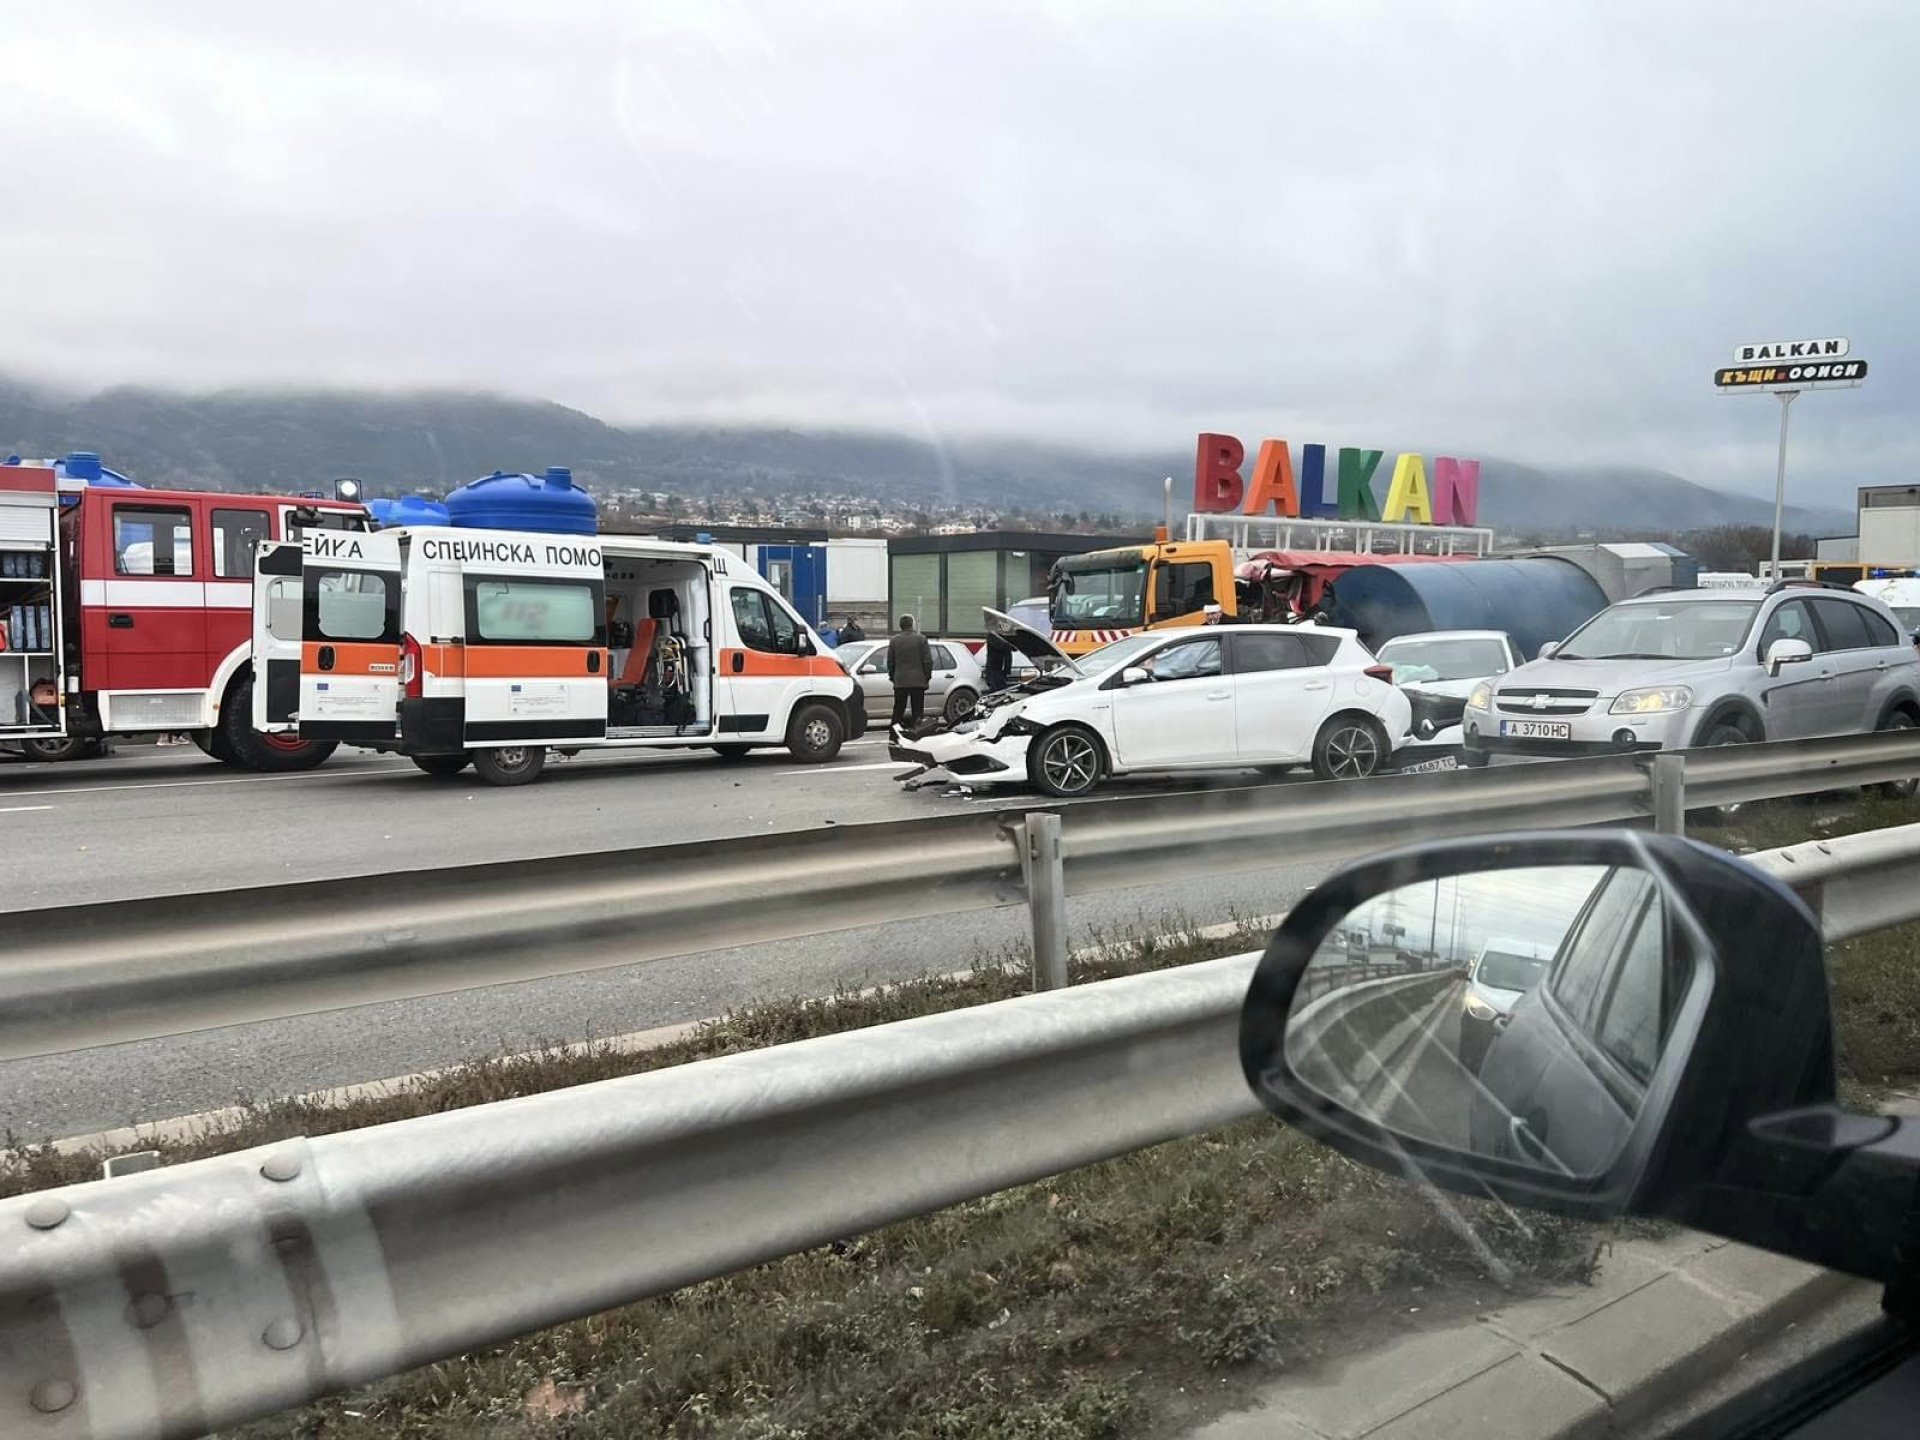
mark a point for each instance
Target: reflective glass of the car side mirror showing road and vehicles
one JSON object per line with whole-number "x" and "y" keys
{"x": 1514, "y": 1015}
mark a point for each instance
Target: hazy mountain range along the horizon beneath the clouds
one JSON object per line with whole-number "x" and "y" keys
{"x": 283, "y": 441}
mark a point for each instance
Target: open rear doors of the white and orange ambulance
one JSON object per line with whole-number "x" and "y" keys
{"x": 347, "y": 684}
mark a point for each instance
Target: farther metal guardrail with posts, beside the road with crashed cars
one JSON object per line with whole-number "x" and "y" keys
{"x": 133, "y": 971}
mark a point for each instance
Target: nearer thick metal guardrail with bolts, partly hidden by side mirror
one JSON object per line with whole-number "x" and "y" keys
{"x": 180, "y": 1301}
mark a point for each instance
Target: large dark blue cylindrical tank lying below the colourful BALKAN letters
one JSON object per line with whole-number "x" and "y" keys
{"x": 1533, "y": 600}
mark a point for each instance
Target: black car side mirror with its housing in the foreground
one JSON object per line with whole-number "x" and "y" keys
{"x": 1646, "y": 1032}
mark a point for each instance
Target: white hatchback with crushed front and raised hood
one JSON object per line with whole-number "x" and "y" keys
{"x": 1218, "y": 698}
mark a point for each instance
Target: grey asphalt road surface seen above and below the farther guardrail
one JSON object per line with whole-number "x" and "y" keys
{"x": 170, "y": 821}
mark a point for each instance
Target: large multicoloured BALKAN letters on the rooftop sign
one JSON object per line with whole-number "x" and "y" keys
{"x": 1220, "y": 489}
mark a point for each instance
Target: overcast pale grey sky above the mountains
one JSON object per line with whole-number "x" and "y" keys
{"x": 1524, "y": 229}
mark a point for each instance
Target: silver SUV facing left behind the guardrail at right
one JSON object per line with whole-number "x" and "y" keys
{"x": 1704, "y": 667}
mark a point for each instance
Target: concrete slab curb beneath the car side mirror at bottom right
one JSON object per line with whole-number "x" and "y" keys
{"x": 1664, "y": 1322}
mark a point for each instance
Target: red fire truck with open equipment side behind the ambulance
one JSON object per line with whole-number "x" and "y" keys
{"x": 132, "y": 612}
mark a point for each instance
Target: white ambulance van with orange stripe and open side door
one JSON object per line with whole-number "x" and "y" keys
{"x": 491, "y": 648}
